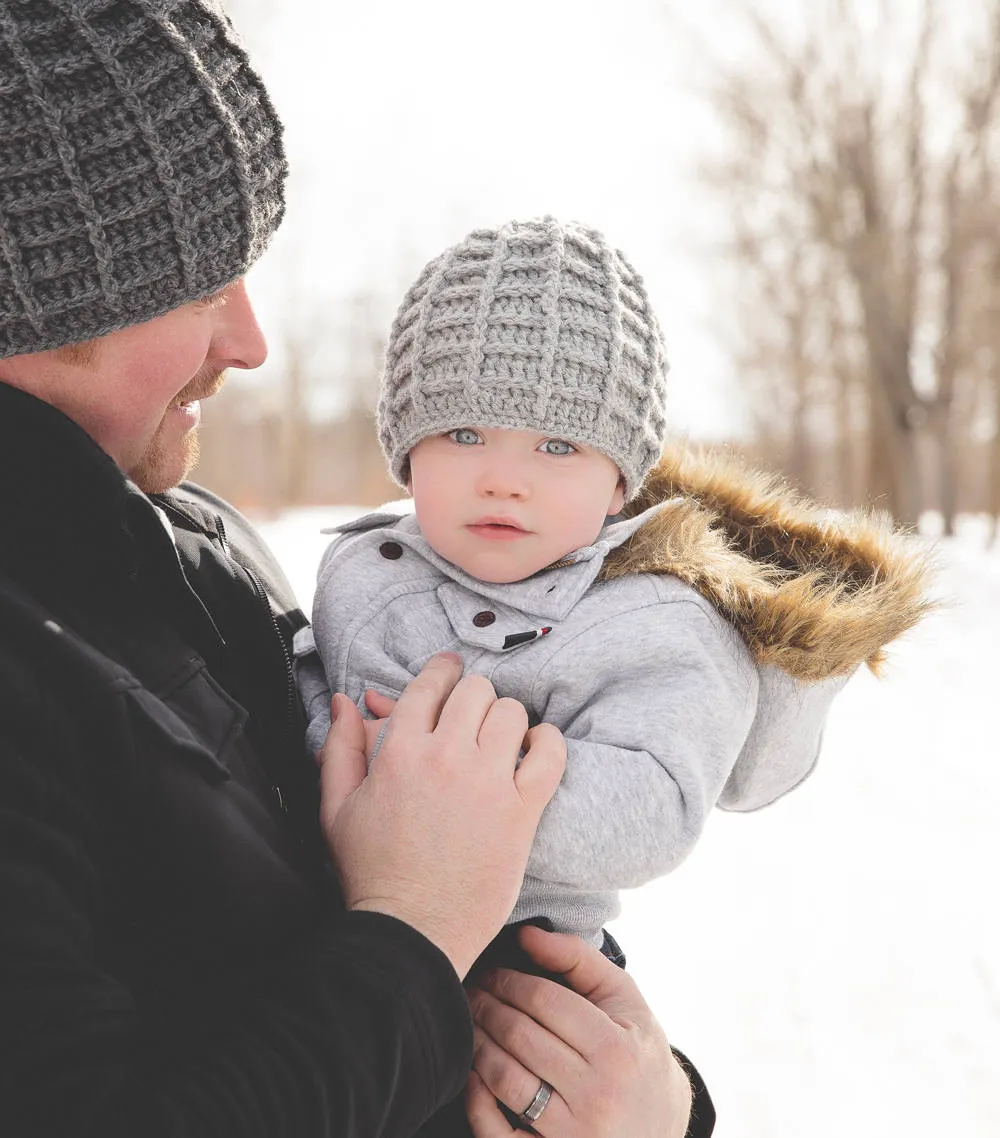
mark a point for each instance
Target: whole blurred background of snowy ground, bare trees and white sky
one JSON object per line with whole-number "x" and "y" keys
{"x": 812, "y": 191}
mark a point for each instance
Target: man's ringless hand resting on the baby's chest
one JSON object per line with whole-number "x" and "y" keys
{"x": 440, "y": 831}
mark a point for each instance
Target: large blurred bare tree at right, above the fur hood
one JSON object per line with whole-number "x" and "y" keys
{"x": 861, "y": 176}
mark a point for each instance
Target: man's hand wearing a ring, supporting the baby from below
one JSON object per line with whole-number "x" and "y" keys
{"x": 599, "y": 1048}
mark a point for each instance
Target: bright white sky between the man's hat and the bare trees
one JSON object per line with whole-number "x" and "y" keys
{"x": 411, "y": 123}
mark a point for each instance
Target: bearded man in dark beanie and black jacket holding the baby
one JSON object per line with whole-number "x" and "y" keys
{"x": 177, "y": 955}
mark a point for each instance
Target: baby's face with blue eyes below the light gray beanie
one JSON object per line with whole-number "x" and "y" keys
{"x": 503, "y": 505}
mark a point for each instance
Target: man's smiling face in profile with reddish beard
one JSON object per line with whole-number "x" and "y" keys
{"x": 137, "y": 392}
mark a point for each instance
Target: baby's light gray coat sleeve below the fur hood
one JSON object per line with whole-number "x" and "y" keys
{"x": 656, "y": 706}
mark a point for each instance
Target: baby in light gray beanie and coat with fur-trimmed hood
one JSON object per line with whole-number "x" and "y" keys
{"x": 685, "y": 624}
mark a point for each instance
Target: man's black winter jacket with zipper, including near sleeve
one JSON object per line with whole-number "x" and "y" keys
{"x": 175, "y": 955}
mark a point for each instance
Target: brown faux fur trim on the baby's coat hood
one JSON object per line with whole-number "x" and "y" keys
{"x": 814, "y": 592}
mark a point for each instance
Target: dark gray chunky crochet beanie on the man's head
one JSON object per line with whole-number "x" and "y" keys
{"x": 142, "y": 164}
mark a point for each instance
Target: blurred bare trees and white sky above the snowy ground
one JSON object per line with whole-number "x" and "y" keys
{"x": 811, "y": 188}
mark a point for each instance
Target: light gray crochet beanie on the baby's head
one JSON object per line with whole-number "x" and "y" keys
{"x": 536, "y": 326}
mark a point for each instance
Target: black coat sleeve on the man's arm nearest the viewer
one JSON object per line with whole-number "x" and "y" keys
{"x": 358, "y": 1027}
